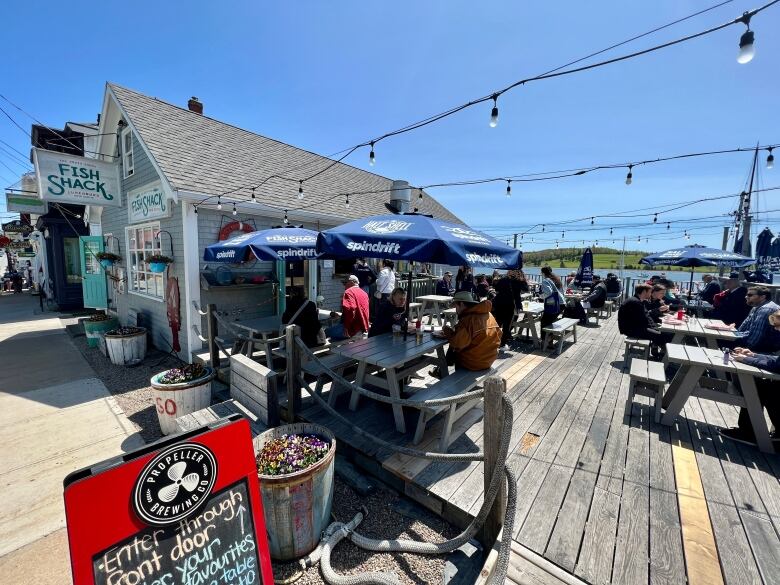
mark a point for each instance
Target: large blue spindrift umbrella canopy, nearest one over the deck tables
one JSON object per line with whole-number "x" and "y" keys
{"x": 417, "y": 237}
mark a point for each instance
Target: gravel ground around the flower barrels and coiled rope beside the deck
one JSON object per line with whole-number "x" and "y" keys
{"x": 130, "y": 387}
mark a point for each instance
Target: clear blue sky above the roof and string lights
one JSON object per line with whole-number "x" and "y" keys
{"x": 326, "y": 75}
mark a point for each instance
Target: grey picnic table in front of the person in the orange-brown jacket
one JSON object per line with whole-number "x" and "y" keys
{"x": 398, "y": 357}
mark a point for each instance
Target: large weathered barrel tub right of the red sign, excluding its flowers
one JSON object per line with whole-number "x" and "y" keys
{"x": 297, "y": 505}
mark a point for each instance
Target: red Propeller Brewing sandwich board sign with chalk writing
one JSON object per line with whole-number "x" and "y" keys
{"x": 186, "y": 510}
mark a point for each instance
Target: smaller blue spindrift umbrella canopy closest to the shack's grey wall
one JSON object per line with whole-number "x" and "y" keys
{"x": 283, "y": 244}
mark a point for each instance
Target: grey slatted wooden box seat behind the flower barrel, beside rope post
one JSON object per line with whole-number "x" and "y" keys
{"x": 255, "y": 386}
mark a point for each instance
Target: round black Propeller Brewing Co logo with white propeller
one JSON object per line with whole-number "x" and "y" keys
{"x": 174, "y": 483}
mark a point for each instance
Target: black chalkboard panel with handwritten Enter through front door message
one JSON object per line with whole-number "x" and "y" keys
{"x": 214, "y": 546}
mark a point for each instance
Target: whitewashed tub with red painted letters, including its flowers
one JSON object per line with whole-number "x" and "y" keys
{"x": 181, "y": 391}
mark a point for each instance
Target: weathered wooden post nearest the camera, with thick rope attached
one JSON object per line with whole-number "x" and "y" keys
{"x": 493, "y": 421}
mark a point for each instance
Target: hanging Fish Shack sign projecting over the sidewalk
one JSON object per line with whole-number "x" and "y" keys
{"x": 68, "y": 178}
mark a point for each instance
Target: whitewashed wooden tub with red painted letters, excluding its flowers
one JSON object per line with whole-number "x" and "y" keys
{"x": 174, "y": 400}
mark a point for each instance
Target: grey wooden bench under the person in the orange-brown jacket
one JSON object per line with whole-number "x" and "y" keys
{"x": 457, "y": 383}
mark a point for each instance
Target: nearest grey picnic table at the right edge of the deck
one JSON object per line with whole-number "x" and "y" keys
{"x": 694, "y": 362}
